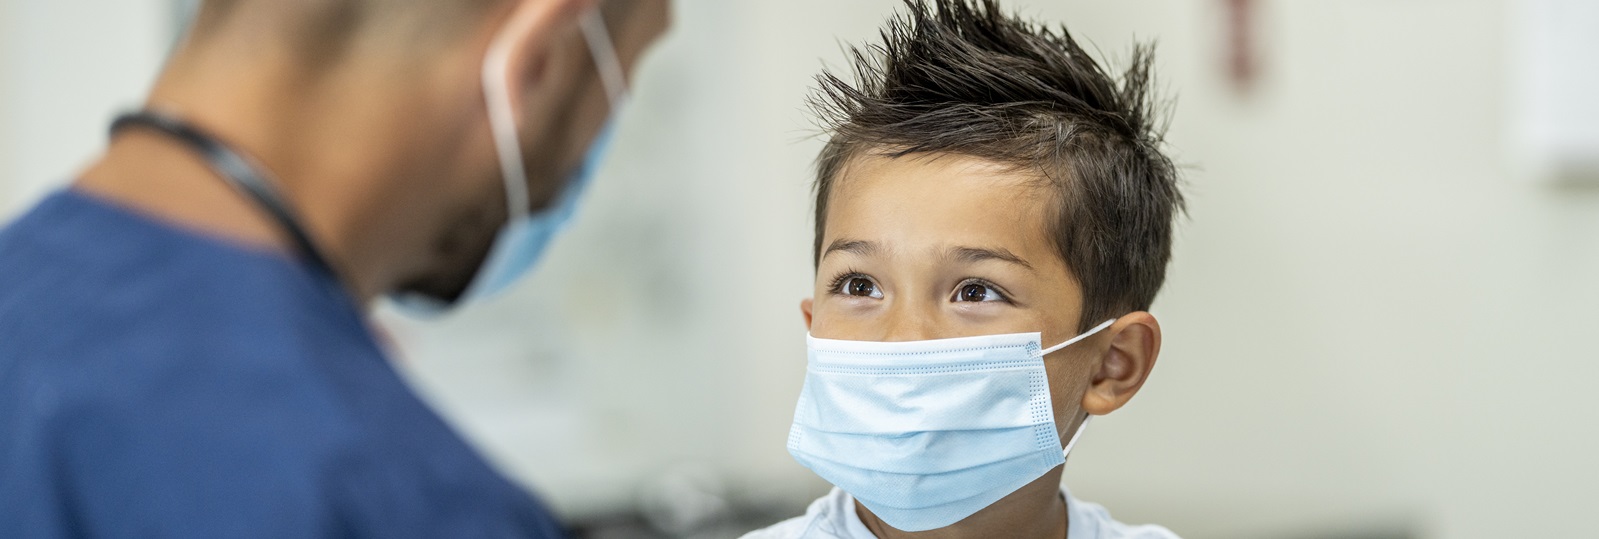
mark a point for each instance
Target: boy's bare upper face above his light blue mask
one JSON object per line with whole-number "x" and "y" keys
{"x": 935, "y": 247}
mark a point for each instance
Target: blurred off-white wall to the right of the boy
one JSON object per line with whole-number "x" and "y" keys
{"x": 1373, "y": 321}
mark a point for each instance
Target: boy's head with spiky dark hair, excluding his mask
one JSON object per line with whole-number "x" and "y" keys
{"x": 987, "y": 177}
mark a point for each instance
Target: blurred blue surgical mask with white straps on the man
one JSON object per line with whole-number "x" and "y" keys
{"x": 528, "y": 234}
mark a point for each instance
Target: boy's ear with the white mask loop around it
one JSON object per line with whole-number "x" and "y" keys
{"x": 1134, "y": 341}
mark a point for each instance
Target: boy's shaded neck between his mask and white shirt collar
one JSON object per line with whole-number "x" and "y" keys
{"x": 1032, "y": 513}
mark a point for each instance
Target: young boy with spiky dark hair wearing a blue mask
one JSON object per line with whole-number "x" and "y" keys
{"x": 994, "y": 220}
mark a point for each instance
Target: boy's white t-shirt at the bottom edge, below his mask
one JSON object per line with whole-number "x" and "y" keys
{"x": 834, "y": 517}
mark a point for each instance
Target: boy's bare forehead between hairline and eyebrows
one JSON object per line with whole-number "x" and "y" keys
{"x": 938, "y": 199}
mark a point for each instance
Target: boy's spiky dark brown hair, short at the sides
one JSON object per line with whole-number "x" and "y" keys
{"x": 965, "y": 78}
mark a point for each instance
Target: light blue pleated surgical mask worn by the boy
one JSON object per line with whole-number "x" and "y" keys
{"x": 928, "y": 433}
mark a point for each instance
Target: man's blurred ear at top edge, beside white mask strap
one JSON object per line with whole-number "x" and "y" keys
{"x": 528, "y": 36}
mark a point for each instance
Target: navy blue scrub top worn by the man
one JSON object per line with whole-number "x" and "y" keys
{"x": 159, "y": 383}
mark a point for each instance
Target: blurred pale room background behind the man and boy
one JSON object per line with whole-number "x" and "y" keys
{"x": 1379, "y": 321}
